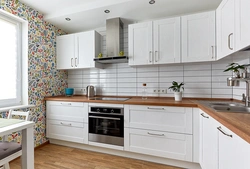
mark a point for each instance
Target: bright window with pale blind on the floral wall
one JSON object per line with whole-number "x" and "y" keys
{"x": 10, "y": 61}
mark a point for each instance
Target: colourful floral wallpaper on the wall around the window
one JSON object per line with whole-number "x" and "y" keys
{"x": 44, "y": 79}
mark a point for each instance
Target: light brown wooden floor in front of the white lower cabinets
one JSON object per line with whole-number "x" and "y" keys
{"x": 53, "y": 156}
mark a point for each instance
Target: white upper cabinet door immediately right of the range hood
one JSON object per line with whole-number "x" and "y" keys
{"x": 140, "y": 44}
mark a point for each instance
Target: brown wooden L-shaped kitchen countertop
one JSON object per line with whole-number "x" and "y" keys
{"x": 239, "y": 123}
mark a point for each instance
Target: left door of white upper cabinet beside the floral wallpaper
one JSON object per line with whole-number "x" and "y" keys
{"x": 65, "y": 51}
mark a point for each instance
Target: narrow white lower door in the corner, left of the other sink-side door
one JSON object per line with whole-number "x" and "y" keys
{"x": 209, "y": 142}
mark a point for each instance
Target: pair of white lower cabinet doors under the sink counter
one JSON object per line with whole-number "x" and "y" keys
{"x": 220, "y": 147}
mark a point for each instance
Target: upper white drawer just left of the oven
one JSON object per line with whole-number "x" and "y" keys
{"x": 69, "y": 111}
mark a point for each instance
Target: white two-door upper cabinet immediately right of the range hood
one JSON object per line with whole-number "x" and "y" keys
{"x": 156, "y": 42}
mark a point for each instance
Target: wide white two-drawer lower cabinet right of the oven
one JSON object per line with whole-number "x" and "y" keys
{"x": 159, "y": 130}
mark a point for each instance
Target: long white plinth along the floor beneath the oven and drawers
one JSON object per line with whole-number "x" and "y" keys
{"x": 160, "y": 160}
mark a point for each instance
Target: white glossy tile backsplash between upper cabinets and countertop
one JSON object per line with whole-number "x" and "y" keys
{"x": 206, "y": 80}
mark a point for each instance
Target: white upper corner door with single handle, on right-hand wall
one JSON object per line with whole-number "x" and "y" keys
{"x": 225, "y": 23}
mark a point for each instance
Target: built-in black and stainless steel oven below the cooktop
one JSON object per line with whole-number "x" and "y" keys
{"x": 106, "y": 125}
